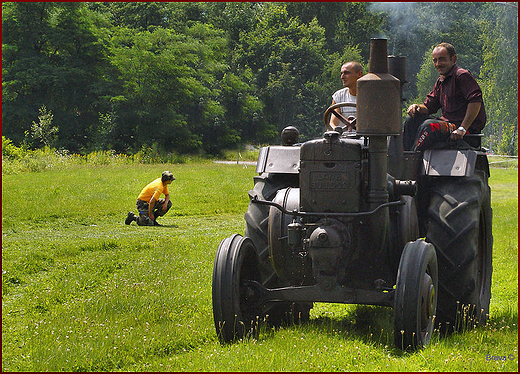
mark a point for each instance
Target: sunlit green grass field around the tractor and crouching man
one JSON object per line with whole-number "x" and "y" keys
{"x": 81, "y": 291}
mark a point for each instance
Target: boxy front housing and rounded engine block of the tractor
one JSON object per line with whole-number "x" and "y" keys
{"x": 333, "y": 179}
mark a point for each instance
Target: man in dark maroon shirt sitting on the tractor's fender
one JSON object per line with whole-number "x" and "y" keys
{"x": 459, "y": 97}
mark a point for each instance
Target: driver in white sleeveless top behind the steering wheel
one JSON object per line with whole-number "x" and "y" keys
{"x": 350, "y": 72}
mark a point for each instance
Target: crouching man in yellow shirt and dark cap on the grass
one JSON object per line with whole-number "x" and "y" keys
{"x": 149, "y": 204}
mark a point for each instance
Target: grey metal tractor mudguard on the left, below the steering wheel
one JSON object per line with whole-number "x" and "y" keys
{"x": 279, "y": 160}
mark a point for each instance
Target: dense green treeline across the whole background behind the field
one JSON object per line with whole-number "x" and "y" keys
{"x": 200, "y": 77}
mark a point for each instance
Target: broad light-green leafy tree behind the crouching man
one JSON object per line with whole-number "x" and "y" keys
{"x": 179, "y": 92}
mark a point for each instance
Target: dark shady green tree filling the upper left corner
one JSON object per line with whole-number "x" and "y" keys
{"x": 51, "y": 56}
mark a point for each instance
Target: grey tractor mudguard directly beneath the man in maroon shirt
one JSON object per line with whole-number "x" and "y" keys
{"x": 449, "y": 162}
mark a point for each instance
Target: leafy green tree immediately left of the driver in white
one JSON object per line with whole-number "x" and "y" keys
{"x": 287, "y": 57}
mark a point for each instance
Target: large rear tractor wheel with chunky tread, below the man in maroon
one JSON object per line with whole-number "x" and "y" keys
{"x": 459, "y": 226}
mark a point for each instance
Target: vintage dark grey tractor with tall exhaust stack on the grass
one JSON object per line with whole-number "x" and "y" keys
{"x": 352, "y": 218}
